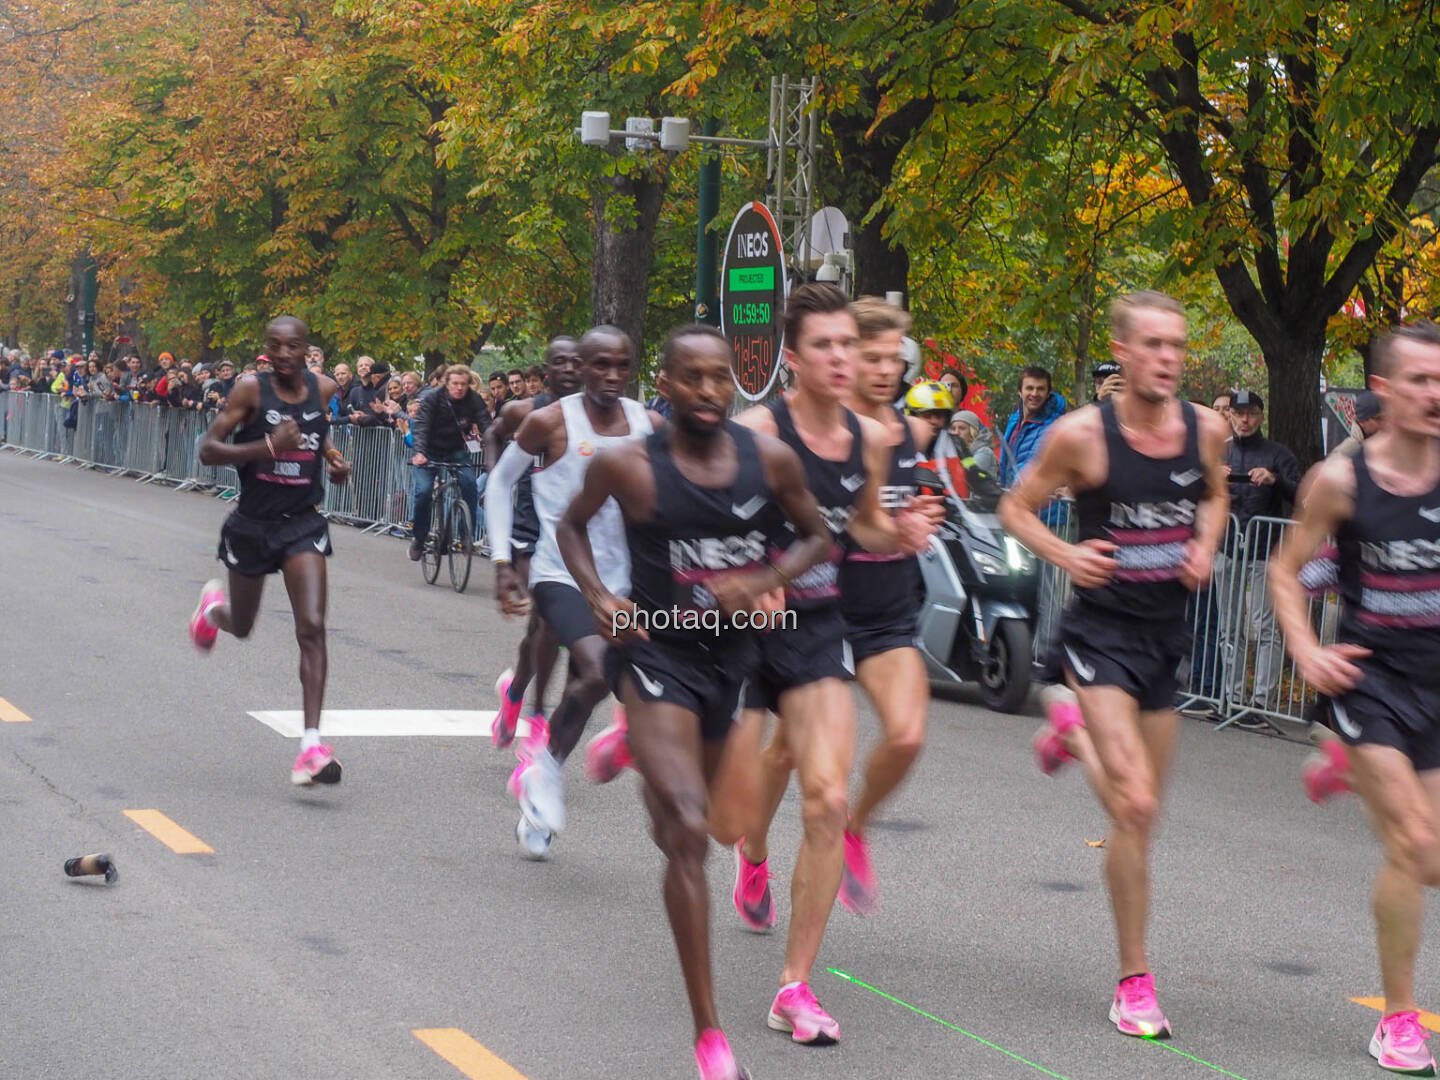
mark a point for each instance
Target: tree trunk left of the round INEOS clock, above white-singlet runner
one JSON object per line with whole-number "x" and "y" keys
{"x": 627, "y": 210}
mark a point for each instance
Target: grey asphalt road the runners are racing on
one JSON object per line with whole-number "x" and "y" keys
{"x": 330, "y": 925}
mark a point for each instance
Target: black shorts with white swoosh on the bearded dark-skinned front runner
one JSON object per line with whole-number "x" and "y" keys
{"x": 706, "y": 682}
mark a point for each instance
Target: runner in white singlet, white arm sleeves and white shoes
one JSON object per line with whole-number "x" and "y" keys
{"x": 568, "y": 434}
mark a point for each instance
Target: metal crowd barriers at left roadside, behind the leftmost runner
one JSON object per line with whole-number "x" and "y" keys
{"x": 153, "y": 443}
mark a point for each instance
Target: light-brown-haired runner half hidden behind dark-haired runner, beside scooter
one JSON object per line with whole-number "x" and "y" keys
{"x": 882, "y": 597}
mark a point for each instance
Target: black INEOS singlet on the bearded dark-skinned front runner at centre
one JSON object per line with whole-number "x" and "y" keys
{"x": 698, "y": 534}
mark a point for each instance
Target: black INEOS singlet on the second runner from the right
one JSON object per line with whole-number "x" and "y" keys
{"x": 1147, "y": 508}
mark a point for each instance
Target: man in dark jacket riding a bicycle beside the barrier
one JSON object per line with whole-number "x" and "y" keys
{"x": 447, "y": 428}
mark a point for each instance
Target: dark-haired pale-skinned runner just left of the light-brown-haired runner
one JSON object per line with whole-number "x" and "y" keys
{"x": 803, "y": 673}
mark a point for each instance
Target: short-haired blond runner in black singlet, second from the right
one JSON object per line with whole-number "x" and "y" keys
{"x": 1150, "y": 487}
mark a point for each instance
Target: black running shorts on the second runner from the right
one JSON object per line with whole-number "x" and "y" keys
{"x": 1141, "y": 659}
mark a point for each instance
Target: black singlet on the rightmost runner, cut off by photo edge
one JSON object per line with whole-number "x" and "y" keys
{"x": 1390, "y": 577}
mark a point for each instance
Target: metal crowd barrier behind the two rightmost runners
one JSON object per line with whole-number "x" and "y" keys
{"x": 1239, "y": 666}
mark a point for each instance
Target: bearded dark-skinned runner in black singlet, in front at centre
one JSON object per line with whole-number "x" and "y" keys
{"x": 701, "y": 499}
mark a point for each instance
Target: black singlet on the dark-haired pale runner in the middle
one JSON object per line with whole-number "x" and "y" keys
{"x": 836, "y": 486}
